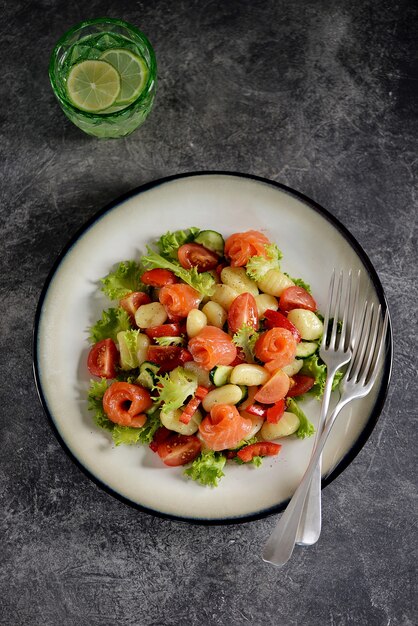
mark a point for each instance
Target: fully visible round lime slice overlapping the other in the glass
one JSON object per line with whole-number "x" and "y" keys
{"x": 93, "y": 85}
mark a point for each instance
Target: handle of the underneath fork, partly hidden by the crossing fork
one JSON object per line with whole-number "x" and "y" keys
{"x": 310, "y": 523}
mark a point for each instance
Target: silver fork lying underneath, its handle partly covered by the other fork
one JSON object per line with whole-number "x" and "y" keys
{"x": 335, "y": 351}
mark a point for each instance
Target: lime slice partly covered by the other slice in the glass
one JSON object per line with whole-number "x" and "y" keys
{"x": 132, "y": 70}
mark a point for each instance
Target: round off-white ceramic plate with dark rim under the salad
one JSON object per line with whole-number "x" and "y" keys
{"x": 312, "y": 241}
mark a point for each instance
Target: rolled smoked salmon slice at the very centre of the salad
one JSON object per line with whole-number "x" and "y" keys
{"x": 212, "y": 346}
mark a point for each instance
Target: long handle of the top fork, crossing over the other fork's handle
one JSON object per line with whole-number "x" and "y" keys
{"x": 281, "y": 542}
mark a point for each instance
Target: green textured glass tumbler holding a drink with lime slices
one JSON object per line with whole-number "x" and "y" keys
{"x": 90, "y": 40}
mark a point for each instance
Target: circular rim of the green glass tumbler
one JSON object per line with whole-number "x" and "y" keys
{"x": 102, "y": 20}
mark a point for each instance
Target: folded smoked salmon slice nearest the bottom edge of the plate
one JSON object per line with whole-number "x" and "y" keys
{"x": 224, "y": 427}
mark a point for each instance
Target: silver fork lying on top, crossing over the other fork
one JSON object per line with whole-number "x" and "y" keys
{"x": 358, "y": 380}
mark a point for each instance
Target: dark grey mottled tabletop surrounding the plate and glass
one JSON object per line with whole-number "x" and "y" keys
{"x": 321, "y": 96}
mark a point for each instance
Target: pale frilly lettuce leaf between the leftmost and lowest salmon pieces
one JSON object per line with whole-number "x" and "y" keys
{"x": 174, "y": 389}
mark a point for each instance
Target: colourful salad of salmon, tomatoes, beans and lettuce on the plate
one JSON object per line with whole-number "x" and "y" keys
{"x": 206, "y": 352}
